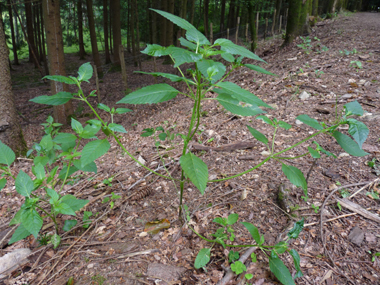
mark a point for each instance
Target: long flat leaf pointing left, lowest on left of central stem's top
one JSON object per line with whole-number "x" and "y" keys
{"x": 151, "y": 94}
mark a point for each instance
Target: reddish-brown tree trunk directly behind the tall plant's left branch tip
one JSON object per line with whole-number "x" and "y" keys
{"x": 56, "y": 58}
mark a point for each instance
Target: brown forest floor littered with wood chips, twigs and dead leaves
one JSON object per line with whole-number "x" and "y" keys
{"x": 116, "y": 250}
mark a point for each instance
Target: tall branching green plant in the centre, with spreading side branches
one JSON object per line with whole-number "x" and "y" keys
{"x": 208, "y": 75}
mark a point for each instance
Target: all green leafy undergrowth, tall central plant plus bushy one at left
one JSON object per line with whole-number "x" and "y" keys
{"x": 57, "y": 157}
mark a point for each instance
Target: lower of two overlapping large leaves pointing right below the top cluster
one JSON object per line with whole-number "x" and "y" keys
{"x": 233, "y": 105}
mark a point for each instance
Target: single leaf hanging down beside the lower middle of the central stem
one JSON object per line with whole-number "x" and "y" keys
{"x": 196, "y": 170}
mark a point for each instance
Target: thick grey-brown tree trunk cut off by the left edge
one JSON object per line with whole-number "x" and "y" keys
{"x": 10, "y": 130}
